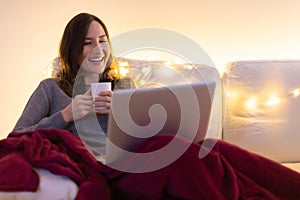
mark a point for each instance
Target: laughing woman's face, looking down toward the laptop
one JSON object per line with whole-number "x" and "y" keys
{"x": 96, "y": 50}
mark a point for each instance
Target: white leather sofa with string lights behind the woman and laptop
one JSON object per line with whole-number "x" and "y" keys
{"x": 256, "y": 105}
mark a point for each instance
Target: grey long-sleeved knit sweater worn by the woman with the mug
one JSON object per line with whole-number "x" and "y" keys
{"x": 43, "y": 111}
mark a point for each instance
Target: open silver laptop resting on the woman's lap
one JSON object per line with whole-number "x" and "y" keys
{"x": 138, "y": 114}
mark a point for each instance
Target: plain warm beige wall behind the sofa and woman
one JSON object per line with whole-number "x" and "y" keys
{"x": 227, "y": 29}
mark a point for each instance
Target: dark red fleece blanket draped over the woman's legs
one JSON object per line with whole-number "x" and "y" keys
{"x": 227, "y": 172}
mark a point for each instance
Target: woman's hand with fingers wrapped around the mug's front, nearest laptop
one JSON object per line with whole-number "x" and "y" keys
{"x": 102, "y": 102}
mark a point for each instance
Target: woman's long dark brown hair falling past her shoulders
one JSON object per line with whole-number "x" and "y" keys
{"x": 71, "y": 48}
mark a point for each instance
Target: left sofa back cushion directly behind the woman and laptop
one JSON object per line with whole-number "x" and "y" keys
{"x": 159, "y": 73}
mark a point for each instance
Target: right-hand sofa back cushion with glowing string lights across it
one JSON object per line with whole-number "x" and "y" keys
{"x": 262, "y": 107}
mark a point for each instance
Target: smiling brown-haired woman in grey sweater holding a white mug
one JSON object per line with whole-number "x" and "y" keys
{"x": 65, "y": 102}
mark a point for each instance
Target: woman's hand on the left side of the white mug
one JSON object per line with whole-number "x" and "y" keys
{"x": 80, "y": 106}
